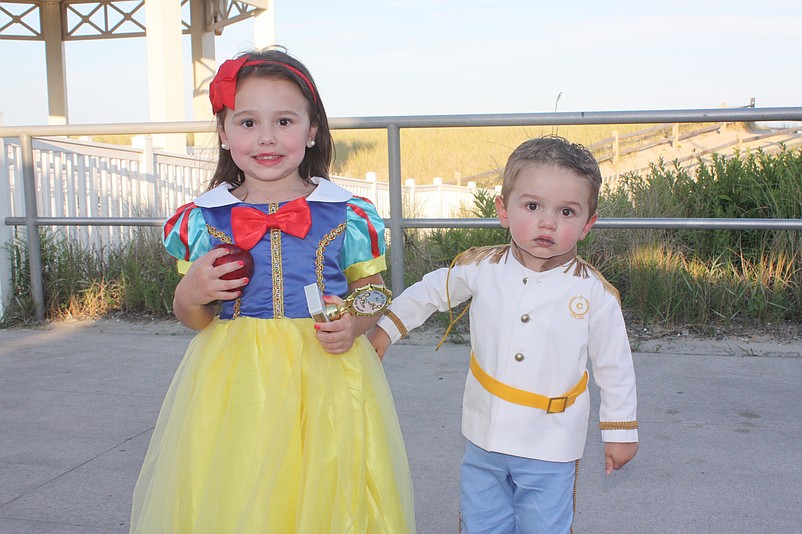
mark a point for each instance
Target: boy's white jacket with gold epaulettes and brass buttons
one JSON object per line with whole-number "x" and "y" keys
{"x": 554, "y": 321}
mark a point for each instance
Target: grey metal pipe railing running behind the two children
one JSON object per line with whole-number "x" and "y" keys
{"x": 393, "y": 125}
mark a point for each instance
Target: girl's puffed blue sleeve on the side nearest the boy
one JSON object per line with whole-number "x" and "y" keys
{"x": 364, "y": 246}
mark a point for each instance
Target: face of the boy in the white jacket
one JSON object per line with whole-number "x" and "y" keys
{"x": 547, "y": 213}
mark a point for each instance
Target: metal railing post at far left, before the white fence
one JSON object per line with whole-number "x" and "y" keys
{"x": 32, "y": 227}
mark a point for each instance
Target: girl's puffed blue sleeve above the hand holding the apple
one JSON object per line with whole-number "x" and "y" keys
{"x": 185, "y": 236}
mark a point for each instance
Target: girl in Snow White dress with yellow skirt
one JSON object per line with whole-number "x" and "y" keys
{"x": 274, "y": 423}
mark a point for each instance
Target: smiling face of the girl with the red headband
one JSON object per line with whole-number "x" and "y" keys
{"x": 268, "y": 132}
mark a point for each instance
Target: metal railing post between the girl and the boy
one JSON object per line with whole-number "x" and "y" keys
{"x": 396, "y": 209}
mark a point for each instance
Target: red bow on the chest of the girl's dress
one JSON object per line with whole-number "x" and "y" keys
{"x": 249, "y": 224}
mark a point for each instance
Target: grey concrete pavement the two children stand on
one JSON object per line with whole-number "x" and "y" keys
{"x": 720, "y": 430}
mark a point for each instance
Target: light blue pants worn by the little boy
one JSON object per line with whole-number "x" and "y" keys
{"x": 503, "y": 494}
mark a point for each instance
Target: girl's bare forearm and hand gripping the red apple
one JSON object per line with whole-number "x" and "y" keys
{"x": 194, "y": 303}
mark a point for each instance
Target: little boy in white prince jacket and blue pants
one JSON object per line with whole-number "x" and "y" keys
{"x": 538, "y": 313}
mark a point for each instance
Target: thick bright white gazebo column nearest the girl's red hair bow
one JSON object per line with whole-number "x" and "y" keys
{"x": 165, "y": 69}
